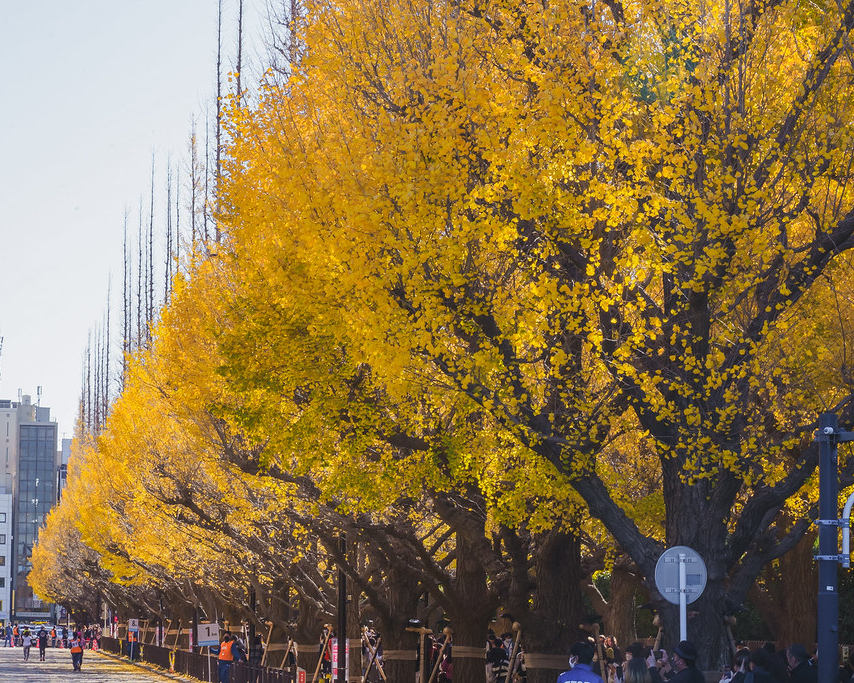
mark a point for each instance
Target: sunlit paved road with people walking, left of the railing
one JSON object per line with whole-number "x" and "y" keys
{"x": 57, "y": 668}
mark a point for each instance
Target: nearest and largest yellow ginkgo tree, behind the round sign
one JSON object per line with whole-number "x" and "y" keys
{"x": 586, "y": 219}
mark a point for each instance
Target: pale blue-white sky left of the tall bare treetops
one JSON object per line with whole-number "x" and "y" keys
{"x": 89, "y": 91}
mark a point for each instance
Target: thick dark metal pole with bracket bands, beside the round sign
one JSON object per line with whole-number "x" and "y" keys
{"x": 828, "y": 548}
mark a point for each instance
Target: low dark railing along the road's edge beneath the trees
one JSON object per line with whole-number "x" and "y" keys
{"x": 201, "y": 666}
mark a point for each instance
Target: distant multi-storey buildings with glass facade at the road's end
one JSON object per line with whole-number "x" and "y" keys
{"x": 31, "y": 472}
